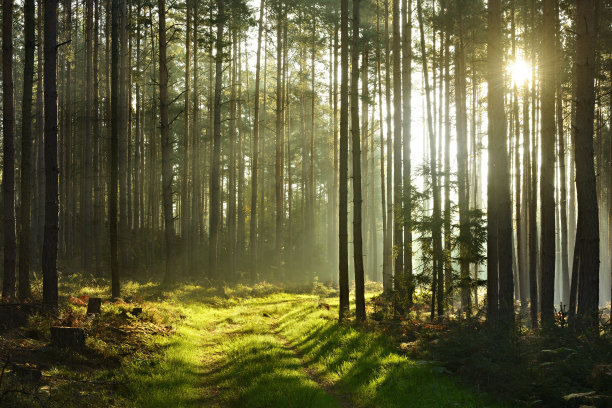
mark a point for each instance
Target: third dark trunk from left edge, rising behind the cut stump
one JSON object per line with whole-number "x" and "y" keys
{"x": 49, "y": 252}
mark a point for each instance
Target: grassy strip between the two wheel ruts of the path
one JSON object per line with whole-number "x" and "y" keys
{"x": 250, "y": 365}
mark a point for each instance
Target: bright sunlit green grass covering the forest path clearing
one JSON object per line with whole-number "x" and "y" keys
{"x": 262, "y": 348}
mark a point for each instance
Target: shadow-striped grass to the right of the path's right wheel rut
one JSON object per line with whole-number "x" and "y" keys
{"x": 367, "y": 366}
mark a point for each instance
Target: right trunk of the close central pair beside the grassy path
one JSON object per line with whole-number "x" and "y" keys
{"x": 356, "y": 145}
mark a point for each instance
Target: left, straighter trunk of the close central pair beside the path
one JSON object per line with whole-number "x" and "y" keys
{"x": 343, "y": 195}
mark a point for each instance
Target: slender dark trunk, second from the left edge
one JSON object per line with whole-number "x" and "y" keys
{"x": 26, "y": 152}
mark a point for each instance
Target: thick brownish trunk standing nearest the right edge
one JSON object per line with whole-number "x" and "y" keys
{"x": 587, "y": 235}
